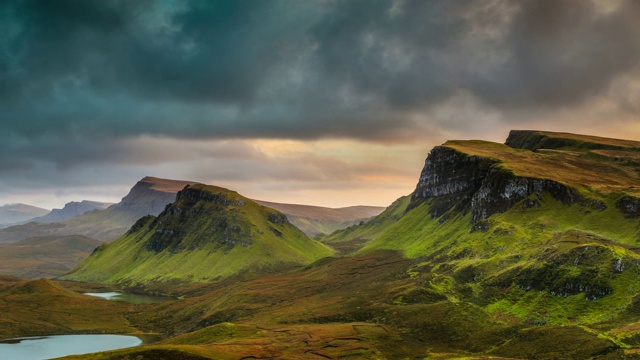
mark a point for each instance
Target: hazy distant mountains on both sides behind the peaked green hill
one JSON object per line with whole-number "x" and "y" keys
{"x": 149, "y": 196}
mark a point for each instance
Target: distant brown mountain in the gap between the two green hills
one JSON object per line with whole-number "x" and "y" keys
{"x": 317, "y": 220}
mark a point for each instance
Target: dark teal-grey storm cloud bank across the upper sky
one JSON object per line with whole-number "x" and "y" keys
{"x": 76, "y": 71}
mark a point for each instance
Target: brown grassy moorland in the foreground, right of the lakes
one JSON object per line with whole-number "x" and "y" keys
{"x": 375, "y": 305}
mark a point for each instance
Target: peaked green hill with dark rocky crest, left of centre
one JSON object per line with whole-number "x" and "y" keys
{"x": 207, "y": 234}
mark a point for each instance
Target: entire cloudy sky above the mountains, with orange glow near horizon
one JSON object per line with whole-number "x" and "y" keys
{"x": 325, "y": 102}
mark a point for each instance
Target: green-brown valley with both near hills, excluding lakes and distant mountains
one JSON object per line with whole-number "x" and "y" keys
{"x": 522, "y": 250}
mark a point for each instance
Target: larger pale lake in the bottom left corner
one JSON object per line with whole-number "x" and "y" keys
{"x": 47, "y": 347}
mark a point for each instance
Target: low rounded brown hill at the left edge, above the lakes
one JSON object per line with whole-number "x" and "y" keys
{"x": 47, "y": 256}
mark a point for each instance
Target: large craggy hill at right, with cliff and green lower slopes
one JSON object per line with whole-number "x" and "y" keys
{"x": 552, "y": 237}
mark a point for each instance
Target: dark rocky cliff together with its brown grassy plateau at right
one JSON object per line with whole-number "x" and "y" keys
{"x": 486, "y": 178}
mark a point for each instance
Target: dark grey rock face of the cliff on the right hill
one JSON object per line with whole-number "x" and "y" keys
{"x": 455, "y": 180}
